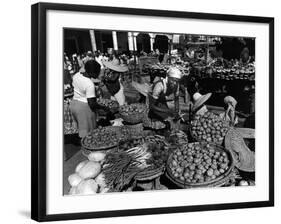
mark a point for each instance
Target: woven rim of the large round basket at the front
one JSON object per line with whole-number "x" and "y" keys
{"x": 187, "y": 184}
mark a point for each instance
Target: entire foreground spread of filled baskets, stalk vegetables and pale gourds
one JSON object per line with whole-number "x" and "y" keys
{"x": 132, "y": 158}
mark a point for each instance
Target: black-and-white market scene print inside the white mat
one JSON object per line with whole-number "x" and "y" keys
{"x": 153, "y": 111}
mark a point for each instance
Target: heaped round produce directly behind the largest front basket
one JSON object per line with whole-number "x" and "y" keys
{"x": 208, "y": 127}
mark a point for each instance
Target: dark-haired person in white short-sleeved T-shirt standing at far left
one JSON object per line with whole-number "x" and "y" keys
{"x": 84, "y": 103}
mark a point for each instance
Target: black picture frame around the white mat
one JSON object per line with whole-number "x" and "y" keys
{"x": 39, "y": 123}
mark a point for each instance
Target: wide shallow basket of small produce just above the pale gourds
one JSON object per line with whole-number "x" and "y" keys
{"x": 100, "y": 139}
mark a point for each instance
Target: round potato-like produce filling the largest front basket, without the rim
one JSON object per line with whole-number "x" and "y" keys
{"x": 198, "y": 163}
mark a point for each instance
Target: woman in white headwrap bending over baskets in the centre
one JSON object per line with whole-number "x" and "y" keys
{"x": 164, "y": 90}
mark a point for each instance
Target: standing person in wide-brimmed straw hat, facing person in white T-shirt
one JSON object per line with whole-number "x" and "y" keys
{"x": 111, "y": 79}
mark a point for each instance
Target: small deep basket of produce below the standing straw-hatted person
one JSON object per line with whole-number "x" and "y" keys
{"x": 133, "y": 113}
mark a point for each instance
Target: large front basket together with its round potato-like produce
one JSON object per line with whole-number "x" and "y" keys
{"x": 199, "y": 164}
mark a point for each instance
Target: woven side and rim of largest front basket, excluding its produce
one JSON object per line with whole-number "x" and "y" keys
{"x": 219, "y": 181}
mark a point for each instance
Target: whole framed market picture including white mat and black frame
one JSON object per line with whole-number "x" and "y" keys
{"x": 149, "y": 111}
